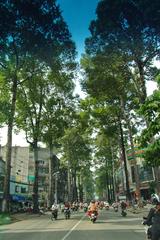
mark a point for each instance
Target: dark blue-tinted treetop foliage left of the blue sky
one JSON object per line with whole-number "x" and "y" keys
{"x": 35, "y": 28}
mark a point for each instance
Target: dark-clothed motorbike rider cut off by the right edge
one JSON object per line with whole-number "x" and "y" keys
{"x": 153, "y": 219}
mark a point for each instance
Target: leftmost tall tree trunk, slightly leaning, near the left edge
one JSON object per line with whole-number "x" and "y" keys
{"x": 6, "y": 196}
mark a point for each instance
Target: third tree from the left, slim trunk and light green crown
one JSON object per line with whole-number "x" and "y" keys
{"x": 59, "y": 112}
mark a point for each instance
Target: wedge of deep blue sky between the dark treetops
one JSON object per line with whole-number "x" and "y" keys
{"x": 78, "y": 15}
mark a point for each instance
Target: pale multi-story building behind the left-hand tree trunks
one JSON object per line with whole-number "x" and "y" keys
{"x": 23, "y": 174}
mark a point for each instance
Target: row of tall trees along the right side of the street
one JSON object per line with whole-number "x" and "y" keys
{"x": 119, "y": 59}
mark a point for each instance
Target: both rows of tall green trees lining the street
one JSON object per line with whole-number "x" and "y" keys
{"x": 37, "y": 72}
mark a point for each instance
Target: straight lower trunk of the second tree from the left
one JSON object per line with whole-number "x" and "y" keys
{"x": 35, "y": 185}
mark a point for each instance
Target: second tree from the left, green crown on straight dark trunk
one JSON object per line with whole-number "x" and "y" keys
{"x": 31, "y": 98}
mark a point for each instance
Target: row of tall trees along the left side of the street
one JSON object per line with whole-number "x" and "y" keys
{"x": 37, "y": 68}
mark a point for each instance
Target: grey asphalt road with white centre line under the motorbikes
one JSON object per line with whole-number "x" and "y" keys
{"x": 109, "y": 226}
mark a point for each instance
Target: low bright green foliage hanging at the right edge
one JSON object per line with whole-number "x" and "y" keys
{"x": 150, "y": 135}
